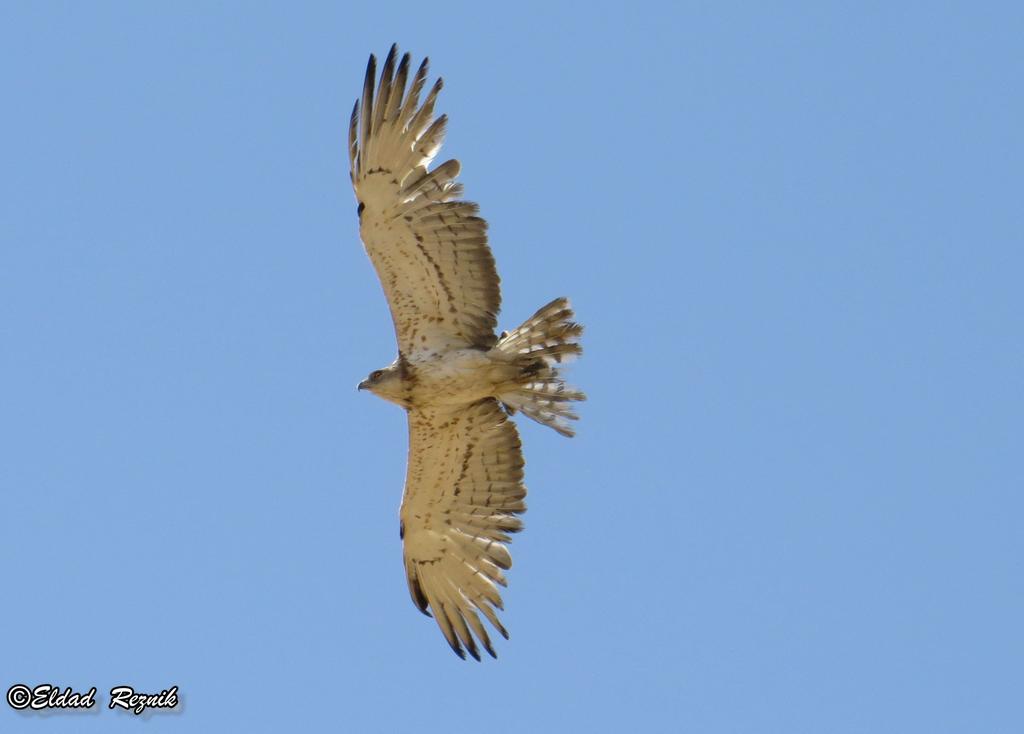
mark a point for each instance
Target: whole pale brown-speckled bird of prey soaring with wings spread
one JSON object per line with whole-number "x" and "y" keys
{"x": 457, "y": 379}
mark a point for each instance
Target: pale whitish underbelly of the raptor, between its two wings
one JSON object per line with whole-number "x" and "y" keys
{"x": 455, "y": 378}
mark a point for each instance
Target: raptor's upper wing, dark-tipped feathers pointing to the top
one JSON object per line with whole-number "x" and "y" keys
{"x": 431, "y": 249}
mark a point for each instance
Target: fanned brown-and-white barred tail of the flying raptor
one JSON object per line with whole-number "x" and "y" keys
{"x": 545, "y": 340}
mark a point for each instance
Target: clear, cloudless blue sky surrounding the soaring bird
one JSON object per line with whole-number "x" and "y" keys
{"x": 794, "y": 234}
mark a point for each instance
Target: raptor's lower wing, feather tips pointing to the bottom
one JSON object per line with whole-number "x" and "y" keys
{"x": 463, "y": 492}
